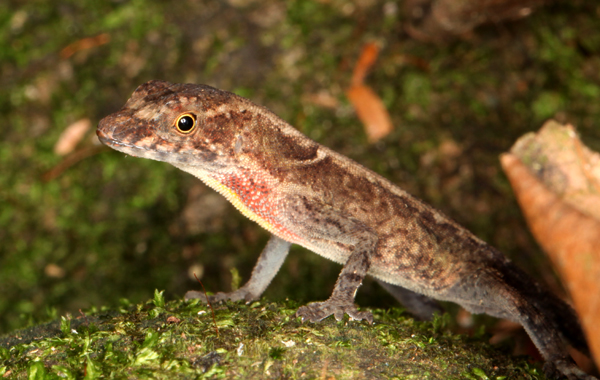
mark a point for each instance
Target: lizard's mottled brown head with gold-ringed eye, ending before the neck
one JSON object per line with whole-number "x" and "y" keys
{"x": 182, "y": 124}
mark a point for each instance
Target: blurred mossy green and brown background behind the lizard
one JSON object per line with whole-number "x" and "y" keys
{"x": 82, "y": 225}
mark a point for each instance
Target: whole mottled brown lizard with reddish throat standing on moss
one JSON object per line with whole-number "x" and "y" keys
{"x": 304, "y": 193}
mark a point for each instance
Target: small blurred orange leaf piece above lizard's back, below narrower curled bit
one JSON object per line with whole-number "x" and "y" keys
{"x": 371, "y": 111}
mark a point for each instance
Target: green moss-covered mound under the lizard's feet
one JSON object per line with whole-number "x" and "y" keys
{"x": 266, "y": 340}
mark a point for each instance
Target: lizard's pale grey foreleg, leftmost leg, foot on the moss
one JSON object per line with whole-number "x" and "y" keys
{"x": 267, "y": 266}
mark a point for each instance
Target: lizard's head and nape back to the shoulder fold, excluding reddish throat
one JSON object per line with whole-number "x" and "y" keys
{"x": 200, "y": 128}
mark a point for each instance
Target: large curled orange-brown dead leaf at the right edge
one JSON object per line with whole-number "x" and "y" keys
{"x": 555, "y": 178}
